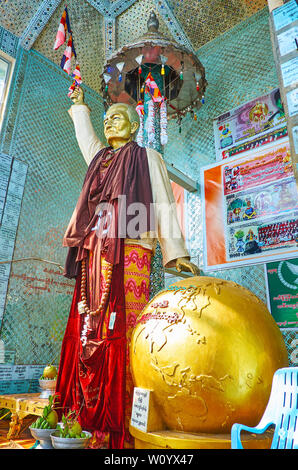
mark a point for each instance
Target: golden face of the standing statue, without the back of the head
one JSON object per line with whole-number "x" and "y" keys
{"x": 117, "y": 127}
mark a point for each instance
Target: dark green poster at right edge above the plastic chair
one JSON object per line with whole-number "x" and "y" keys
{"x": 282, "y": 291}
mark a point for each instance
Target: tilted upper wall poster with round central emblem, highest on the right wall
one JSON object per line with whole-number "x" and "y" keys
{"x": 251, "y": 125}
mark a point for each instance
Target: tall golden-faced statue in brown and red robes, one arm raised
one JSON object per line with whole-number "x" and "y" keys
{"x": 110, "y": 238}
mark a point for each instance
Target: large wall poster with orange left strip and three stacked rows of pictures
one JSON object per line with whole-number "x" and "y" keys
{"x": 250, "y": 208}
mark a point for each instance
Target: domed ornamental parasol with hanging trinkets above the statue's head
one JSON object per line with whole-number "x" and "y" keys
{"x": 178, "y": 72}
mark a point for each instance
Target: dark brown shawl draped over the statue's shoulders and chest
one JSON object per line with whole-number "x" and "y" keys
{"x": 127, "y": 175}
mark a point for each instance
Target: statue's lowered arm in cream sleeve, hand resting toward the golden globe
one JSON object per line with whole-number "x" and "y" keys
{"x": 171, "y": 240}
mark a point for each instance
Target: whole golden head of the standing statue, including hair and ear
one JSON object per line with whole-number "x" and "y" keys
{"x": 121, "y": 123}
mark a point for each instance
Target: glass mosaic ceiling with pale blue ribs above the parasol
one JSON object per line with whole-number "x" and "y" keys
{"x": 102, "y": 26}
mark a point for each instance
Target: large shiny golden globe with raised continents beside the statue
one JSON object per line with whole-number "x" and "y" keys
{"x": 208, "y": 349}
